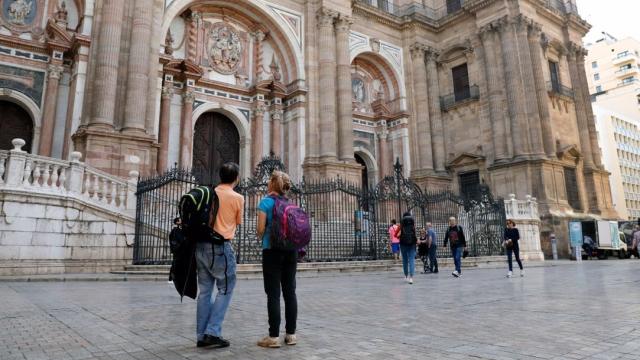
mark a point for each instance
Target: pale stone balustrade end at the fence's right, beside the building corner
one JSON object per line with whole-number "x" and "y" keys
{"x": 525, "y": 214}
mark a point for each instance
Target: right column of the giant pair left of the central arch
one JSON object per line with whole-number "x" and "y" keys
{"x": 138, "y": 70}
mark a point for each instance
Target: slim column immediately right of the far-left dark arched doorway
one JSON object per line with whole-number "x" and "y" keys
{"x": 49, "y": 111}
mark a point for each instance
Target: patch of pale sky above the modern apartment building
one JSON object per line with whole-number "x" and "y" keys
{"x": 620, "y": 18}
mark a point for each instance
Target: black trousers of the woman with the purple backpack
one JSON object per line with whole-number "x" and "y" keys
{"x": 279, "y": 272}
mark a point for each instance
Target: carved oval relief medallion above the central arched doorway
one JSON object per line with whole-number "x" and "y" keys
{"x": 225, "y": 49}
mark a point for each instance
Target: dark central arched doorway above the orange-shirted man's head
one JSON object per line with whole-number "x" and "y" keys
{"x": 215, "y": 142}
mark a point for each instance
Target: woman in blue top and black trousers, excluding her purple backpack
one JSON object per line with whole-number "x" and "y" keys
{"x": 278, "y": 268}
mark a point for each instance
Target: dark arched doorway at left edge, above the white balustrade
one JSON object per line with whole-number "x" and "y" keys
{"x": 15, "y": 122}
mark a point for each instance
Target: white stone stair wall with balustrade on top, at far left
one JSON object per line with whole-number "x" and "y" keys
{"x": 61, "y": 216}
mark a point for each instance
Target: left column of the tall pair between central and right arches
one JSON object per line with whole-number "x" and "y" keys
{"x": 327, "y": 72}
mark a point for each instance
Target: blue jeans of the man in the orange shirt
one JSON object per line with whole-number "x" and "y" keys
{"x": 216, "y": 267}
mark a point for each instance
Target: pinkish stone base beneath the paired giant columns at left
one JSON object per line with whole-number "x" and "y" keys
{"x": 116, "y": 153}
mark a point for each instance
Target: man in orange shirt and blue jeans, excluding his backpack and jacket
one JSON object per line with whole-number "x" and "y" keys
{"x": 217, "y": 262}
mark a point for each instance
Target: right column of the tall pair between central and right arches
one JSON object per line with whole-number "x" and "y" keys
{"x": 345, "y": 105}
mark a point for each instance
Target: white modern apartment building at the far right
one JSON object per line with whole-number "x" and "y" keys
{"x": 613, "y": 70}
